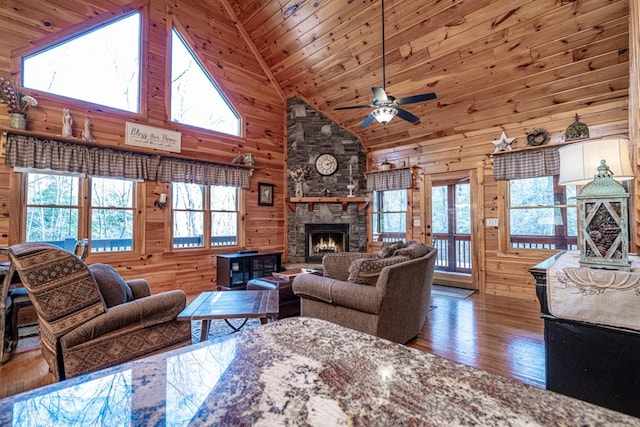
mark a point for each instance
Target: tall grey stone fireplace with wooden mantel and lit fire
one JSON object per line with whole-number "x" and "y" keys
{"x": 327, "y": 213}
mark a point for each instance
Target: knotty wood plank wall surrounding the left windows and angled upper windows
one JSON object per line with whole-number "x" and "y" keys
{"x": 216, "y": 40}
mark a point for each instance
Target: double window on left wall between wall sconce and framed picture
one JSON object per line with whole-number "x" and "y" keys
{"x": 204, "y": 216}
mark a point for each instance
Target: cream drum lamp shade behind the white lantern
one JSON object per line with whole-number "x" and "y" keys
{"x": 579, "y": 162}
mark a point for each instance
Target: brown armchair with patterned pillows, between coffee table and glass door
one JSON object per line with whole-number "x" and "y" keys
{"x": 386, "y": 294}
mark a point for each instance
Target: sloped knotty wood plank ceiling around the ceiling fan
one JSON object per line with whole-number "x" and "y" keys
{"x": 491, "y": 62}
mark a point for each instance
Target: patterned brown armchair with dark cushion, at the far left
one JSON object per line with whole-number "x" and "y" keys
{"x": 90, "y": 318}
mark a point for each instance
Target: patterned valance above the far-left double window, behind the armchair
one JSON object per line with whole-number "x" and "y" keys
{"x": 39, "y": 153}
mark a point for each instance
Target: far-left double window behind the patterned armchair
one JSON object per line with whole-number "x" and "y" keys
{"x": 61, "y": 209}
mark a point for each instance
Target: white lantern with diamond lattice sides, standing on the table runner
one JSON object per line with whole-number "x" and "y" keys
{"x": 603, "y": 222}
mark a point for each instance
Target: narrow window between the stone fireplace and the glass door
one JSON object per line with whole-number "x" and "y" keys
{"x": 389, "y": 216}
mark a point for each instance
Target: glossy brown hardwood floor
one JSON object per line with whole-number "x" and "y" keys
{"x": 498, "y": 334}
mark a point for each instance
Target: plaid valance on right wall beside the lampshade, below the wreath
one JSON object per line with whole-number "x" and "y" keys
{"x": 526, "y": 164}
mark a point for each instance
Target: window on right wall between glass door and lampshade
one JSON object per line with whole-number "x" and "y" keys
{"x": 542, "y": 214}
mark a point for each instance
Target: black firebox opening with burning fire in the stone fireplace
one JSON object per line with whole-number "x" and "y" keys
{"x": 322, "y": 239}
